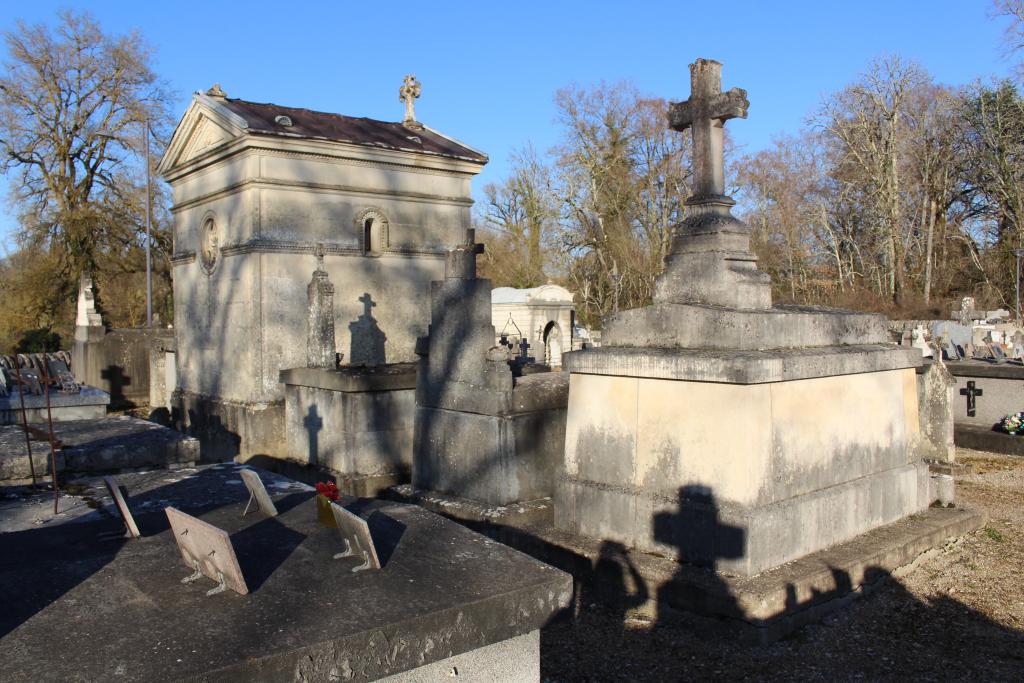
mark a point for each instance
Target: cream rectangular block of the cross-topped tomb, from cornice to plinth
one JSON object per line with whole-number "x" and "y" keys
{"x": 741, "y": 461}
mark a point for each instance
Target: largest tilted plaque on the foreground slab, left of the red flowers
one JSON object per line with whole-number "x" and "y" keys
{"x": 208, "y": 551}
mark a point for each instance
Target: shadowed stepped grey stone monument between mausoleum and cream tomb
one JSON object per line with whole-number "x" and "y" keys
{"x": 481, "y": 434}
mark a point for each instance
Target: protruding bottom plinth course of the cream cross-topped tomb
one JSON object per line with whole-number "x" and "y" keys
{"x": 739, "y": 540}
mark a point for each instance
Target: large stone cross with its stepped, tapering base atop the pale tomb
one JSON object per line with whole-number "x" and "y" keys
{"x": 710, "y": 260}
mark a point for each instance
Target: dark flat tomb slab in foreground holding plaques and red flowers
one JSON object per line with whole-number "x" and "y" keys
{"x": 444, "y": 592}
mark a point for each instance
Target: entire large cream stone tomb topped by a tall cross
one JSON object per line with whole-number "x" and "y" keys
{"x": 723, "y": 432}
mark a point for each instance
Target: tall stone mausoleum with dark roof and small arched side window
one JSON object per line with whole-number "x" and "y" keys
{"x": 260, "y": 193}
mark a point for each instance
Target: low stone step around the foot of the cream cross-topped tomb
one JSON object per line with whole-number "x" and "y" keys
{"x": 762, "y": 609}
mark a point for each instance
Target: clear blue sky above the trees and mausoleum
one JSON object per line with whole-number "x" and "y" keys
{"x": 490, "y": 70}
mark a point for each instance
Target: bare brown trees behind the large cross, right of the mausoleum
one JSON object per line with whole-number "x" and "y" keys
{"x": 900, "y": 195}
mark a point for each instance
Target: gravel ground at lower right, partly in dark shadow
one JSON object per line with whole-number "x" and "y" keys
{"x": 958, "y": 616}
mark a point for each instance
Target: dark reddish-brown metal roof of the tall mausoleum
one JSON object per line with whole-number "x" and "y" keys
{"x": 264, "y": 119}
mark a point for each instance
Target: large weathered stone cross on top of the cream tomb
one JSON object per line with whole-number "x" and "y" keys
{"x": 706, "y": 112}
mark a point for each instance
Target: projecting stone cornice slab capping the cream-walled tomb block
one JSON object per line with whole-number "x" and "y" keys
{"x": 745, "y": 367}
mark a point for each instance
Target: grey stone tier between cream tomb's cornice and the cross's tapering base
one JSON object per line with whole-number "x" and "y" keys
{"x": 697, "y": 327}
